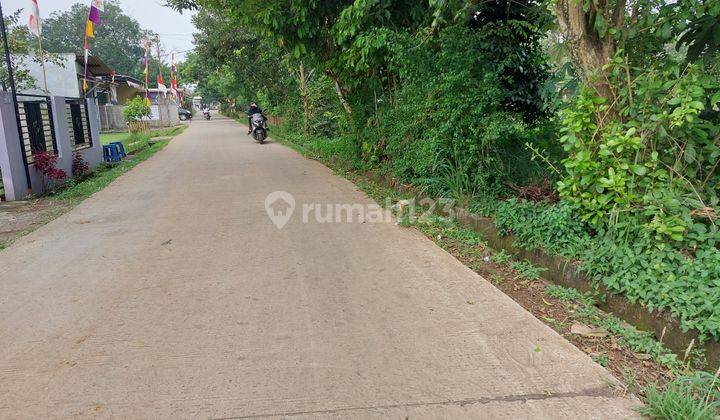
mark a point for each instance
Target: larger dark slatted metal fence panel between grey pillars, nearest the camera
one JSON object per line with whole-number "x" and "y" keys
{"x": 38, "y": 130}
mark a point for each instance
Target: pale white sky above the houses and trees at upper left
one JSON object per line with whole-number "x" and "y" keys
{"x": 175, "y": 29}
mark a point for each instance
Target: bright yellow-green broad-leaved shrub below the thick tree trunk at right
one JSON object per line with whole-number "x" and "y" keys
{"x": 654, "y": 162}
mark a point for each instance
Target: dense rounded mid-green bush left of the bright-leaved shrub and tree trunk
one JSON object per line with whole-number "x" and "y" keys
{"x": 450, "y": 130}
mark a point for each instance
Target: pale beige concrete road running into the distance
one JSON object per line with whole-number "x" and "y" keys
{"x": 171, "y": 294}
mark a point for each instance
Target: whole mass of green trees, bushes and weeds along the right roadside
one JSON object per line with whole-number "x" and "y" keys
{"x": 588, "y": 129}
